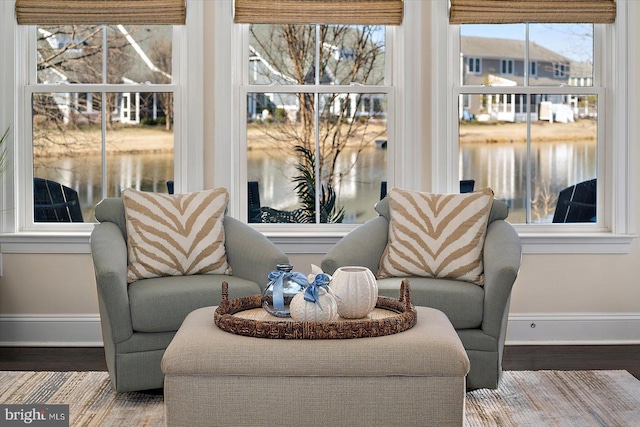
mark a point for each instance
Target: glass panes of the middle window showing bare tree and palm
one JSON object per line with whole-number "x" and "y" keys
{"x": 317, "y": 106}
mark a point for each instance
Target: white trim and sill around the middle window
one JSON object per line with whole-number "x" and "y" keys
{"x": 403, "y": 161}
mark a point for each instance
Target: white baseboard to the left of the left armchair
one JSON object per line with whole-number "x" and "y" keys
{"x": 67, "y": 330}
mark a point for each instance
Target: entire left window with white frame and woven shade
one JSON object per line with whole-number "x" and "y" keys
{"x": 65, "y": 80}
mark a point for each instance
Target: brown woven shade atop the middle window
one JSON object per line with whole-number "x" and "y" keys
{"x": 344, "y": 12}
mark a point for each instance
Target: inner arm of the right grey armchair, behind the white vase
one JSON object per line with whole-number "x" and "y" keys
{"x": 363, "y": 246}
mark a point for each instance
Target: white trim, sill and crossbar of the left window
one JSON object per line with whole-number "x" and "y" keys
{"x": 19, "y": 233}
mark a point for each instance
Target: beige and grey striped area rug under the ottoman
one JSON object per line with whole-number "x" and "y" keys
{"x": 524, "y": 398}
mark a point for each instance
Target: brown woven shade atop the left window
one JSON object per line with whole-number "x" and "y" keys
{"x": 89, "y": 12}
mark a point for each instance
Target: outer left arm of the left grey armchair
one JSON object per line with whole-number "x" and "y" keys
{"x": 109, "y": 254}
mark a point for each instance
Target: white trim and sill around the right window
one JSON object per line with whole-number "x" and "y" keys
{"x": 615, "y": 234}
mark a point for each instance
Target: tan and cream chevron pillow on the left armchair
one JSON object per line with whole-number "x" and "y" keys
{"x": 175, "y": 235}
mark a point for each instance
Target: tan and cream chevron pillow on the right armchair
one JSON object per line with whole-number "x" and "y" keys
{"x": 436, "y": 235}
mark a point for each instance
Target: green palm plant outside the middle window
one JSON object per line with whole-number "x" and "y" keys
{"x": 306, "y": 190}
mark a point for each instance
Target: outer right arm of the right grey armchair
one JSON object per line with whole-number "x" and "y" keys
{"x": 502, "y": 256}
